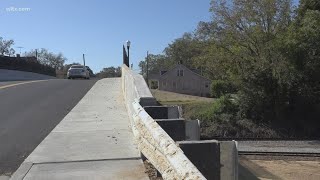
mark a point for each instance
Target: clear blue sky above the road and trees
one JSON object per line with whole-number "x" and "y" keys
{"x": 98, "y": 28}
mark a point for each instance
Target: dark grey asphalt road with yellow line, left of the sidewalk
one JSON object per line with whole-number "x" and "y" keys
{"x": 28, "y": 113}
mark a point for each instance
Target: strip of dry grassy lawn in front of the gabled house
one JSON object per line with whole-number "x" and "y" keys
{"x": 170, "y": 98}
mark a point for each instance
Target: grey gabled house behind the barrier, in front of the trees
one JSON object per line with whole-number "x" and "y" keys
{"x": 182, "y": 80}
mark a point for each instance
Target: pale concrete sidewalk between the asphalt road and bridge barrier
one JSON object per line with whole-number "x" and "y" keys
{"x": 93, "y": 141}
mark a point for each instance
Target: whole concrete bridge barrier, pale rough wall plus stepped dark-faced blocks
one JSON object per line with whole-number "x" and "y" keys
{"x": 169, "y": 142}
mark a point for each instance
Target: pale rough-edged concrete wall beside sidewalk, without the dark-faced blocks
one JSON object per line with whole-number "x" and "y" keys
{"x": 152, "y": 140}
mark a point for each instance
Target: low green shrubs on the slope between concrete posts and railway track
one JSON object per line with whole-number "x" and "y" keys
{"x": 220, "y": 119}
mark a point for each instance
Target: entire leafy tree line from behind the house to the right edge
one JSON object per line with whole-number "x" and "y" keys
{"x": 268, "y": 51}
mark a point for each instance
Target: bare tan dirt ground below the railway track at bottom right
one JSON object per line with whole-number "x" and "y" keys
{"x": 290, "y": 169}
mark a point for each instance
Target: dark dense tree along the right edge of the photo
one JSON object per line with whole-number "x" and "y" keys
{"x": 301, "y": 45}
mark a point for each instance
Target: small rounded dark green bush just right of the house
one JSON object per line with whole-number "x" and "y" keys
{"x": 220, "y": 88}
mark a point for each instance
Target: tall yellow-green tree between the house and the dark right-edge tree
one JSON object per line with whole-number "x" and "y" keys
{"x": 245, "y": 37}
